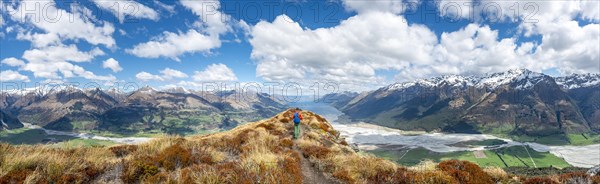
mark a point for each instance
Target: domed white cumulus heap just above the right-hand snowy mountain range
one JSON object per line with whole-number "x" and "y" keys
{"x": 474, "y": 49}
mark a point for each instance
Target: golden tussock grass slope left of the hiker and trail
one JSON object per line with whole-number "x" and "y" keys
{"x": 260, "y": 152}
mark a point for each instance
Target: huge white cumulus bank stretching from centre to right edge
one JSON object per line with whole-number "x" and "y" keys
{"x": 377, "y": 39}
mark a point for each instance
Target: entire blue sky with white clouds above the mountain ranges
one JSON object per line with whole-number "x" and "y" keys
{"x": 359, "y": 45}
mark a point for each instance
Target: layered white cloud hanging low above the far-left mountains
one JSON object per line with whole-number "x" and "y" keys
{"x": 48, "y": 61}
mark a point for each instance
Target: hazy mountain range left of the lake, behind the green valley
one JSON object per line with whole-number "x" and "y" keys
{"x": 170, "y": 111}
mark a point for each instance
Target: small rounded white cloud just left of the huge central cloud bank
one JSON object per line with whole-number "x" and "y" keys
{"x": 215, "y": 72}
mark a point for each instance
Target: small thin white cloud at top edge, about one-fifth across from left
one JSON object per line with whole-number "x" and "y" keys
{"x": 127, "y": 8}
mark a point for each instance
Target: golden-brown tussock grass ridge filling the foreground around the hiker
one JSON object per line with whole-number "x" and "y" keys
{"x": 260, "y": 152}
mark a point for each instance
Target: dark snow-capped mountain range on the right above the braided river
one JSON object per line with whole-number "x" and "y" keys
{"x": 518, "y": 102}
